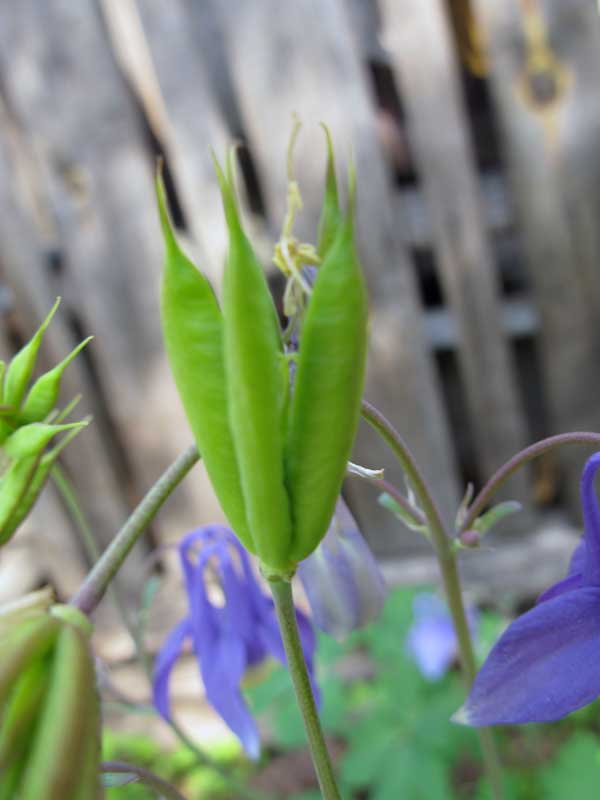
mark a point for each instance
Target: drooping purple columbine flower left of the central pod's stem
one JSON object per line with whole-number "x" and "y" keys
{"x": 227, "y": 639}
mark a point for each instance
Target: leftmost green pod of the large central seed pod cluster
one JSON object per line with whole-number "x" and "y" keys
{"x": 193, "y": 332}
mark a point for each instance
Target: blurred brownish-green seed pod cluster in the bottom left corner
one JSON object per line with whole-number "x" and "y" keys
{"x": 49, "y": 712}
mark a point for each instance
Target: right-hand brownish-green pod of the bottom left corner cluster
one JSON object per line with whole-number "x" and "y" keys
{"x": 67, "y": 724}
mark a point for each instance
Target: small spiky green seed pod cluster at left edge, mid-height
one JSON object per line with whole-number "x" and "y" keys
{"x": 29, "y": 422}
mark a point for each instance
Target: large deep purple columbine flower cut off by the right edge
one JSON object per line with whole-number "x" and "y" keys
{"x": 545, "y": 665}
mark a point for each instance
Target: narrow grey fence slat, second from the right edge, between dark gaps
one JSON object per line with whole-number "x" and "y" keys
{"x": 426, "y": 67}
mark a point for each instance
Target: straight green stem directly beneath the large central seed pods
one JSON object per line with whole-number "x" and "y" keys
{"x": 286, "y": 616}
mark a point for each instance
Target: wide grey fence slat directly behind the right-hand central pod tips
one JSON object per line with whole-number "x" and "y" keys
{"x": 277, "y": 70}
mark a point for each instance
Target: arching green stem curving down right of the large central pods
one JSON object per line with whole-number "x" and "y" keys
{"x": 447, "y": 562}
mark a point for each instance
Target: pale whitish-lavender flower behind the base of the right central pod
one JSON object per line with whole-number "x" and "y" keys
{"x": 341, "y": 579}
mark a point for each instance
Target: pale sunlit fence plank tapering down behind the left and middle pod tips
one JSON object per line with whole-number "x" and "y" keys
{"x": 158, "y": 48}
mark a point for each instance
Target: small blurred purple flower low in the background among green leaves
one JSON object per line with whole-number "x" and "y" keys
{"x": 431, "y": 640}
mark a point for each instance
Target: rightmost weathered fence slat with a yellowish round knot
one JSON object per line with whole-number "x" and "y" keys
{"x": 550, "y": 121}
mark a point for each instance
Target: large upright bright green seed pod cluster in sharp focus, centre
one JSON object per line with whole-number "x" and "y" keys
{"x": 276, "y": 461}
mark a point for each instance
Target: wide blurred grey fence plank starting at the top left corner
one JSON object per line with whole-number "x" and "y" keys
{"x": 63, "y": 81}
